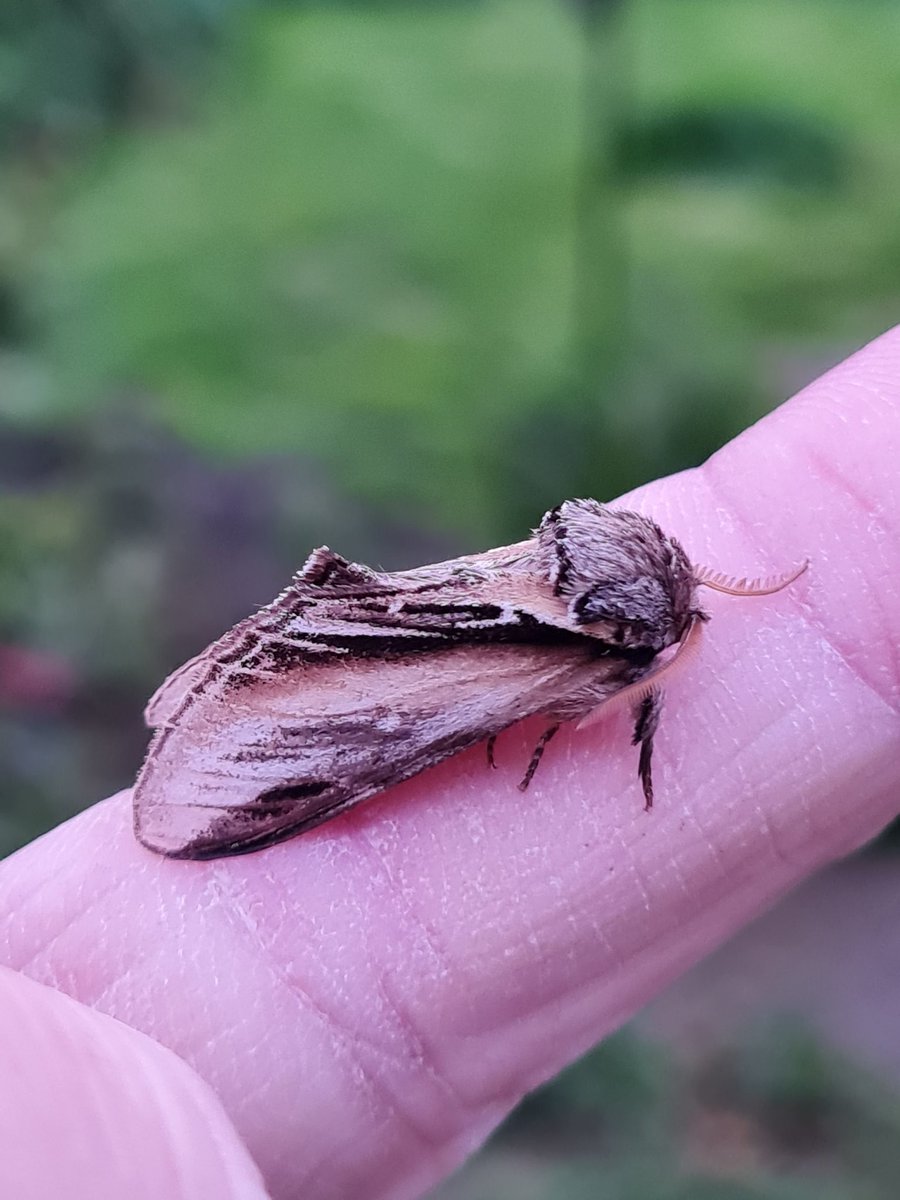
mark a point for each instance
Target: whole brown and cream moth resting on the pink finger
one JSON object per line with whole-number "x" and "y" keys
{"x": 355, "y": 680}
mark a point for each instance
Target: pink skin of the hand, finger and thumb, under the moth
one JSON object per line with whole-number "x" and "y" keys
{"x": 370, "y": 1000}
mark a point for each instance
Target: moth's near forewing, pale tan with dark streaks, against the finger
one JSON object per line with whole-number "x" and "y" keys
{"x": 249, "y": 764}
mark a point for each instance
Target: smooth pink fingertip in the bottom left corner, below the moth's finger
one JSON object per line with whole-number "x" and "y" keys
{"x": 92, "y": 1109}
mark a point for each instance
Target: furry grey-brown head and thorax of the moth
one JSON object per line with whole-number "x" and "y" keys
{"x": 622, "y": 579}
